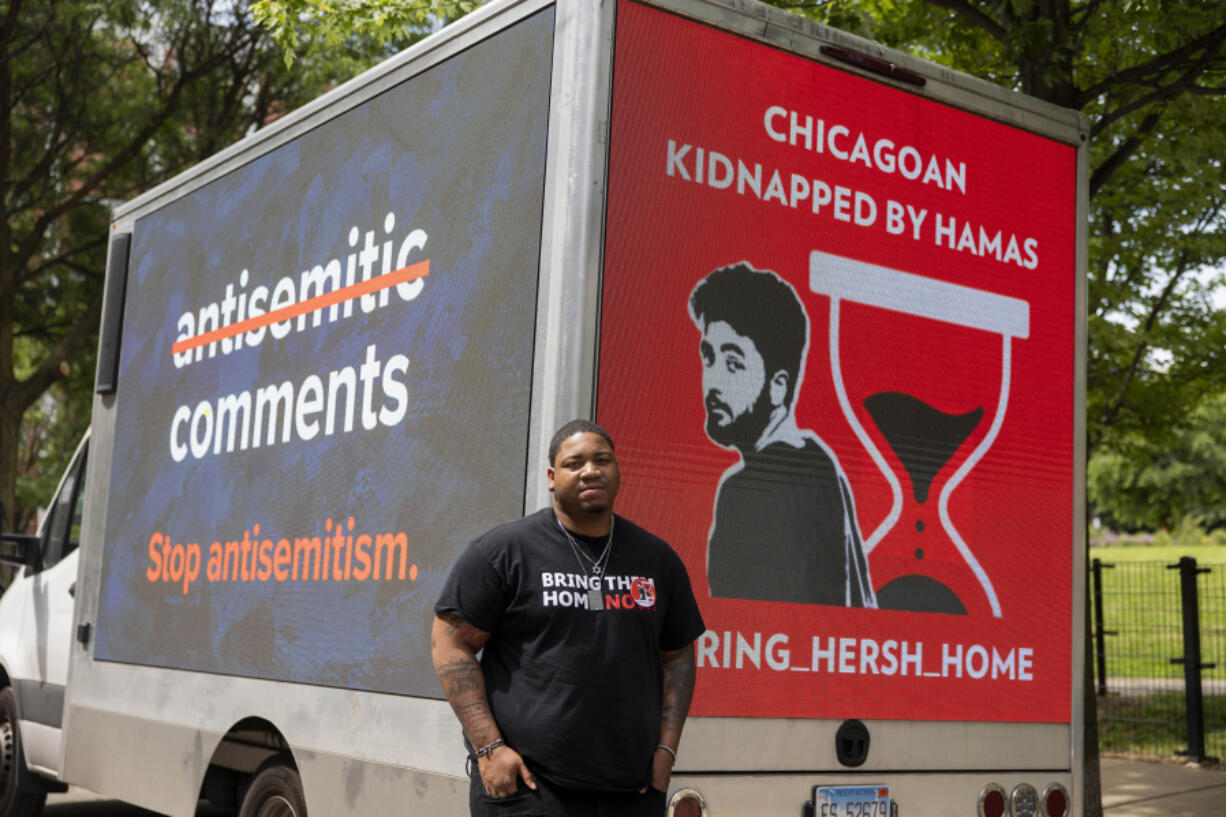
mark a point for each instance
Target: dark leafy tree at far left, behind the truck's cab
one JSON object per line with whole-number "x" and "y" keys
{"x": 99, "y": 102}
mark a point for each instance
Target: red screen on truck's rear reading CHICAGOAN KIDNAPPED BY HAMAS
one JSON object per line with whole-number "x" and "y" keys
{"x": 838, "y": 359}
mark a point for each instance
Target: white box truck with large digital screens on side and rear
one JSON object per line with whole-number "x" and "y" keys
{"x": 828, "y": 297}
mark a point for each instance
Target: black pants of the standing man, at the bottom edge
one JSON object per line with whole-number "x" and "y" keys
{"x": 554, "y": 802}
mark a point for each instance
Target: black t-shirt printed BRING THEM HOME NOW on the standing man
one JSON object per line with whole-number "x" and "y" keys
{"x": 576, "y": 691}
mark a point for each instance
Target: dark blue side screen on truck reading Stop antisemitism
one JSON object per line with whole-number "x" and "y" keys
{"x": 326, "y": 381}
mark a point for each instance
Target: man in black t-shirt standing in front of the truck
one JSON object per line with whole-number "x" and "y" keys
{"x": 585, "y": 624}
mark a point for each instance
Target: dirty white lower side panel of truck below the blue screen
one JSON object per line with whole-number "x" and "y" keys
{"x": 348, "y": 745}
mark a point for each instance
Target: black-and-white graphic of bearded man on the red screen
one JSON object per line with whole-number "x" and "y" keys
{"x": 784, "y": 527}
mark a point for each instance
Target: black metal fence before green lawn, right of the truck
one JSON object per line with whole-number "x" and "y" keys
{"x": 1160, "y": 658}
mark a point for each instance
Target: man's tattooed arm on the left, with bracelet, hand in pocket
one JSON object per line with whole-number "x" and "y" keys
{"x": 454, "y": 645}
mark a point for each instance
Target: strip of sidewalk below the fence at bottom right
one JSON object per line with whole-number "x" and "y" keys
{"x": 1141, "y": 789}
